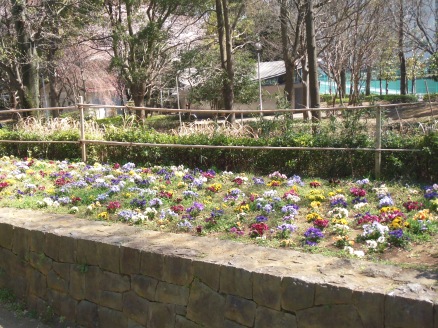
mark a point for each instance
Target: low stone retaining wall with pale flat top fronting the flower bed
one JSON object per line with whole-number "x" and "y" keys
{"x": 111, "y": 275}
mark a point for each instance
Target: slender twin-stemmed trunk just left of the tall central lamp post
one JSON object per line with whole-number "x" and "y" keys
{"x": 225, "y": 45}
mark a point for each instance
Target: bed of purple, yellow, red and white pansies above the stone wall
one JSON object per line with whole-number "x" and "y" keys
{"x": 358, "y": 218}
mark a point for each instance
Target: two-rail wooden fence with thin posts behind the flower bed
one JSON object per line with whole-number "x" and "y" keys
{"x": 82, "y": 142}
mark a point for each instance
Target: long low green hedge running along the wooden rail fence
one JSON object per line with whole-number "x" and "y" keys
{"x": 350, "y": 130}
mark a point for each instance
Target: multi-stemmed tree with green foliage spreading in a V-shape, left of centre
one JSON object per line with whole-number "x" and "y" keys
{"x": 144, "y": 37}
